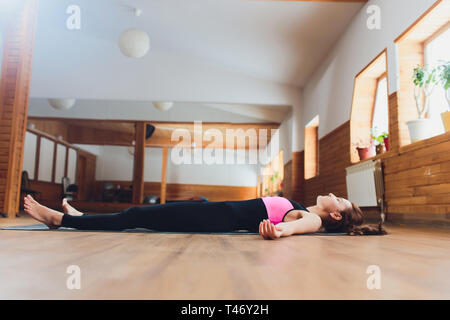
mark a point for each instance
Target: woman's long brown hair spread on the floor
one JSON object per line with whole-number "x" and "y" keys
{"x": 351, "y": 223}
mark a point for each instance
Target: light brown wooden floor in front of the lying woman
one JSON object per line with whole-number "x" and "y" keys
{"x": 414, "y": 264}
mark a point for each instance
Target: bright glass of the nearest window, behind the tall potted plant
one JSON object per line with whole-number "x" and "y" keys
{"x": 437, "y": 51}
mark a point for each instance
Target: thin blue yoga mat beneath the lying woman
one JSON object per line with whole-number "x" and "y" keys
{"x": 43, "y": 227}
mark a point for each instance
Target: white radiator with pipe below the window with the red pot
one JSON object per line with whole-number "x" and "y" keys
{"x": 365, "y": 184}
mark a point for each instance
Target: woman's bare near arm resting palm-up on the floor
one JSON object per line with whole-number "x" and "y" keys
{"x": 309, "y": 223}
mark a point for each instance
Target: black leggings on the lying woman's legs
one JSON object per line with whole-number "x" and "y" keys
{"x": 224, "y": 216}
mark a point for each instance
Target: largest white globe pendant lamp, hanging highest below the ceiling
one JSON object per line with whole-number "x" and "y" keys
{"x": 134, "y": 43}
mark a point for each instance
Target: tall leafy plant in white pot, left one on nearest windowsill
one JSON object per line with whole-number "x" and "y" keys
{"x": 425, "y": 80}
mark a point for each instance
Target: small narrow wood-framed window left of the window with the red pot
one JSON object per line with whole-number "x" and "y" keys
{"x": 312, "y": 148}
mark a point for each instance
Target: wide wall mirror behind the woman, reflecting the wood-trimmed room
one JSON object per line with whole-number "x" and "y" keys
{"x": 95, "y": 144}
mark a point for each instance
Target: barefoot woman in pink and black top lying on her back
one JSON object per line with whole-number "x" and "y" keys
{"x": 274, "y": 217}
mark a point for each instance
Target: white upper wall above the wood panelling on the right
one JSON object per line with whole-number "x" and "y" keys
{"x": 330, "y": 89}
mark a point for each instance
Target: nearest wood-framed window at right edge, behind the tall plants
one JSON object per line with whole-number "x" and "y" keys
{"x": 425, "y": 42}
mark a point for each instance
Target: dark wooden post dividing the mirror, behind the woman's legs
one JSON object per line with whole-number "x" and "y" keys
{"x": 139, "y": 160}
